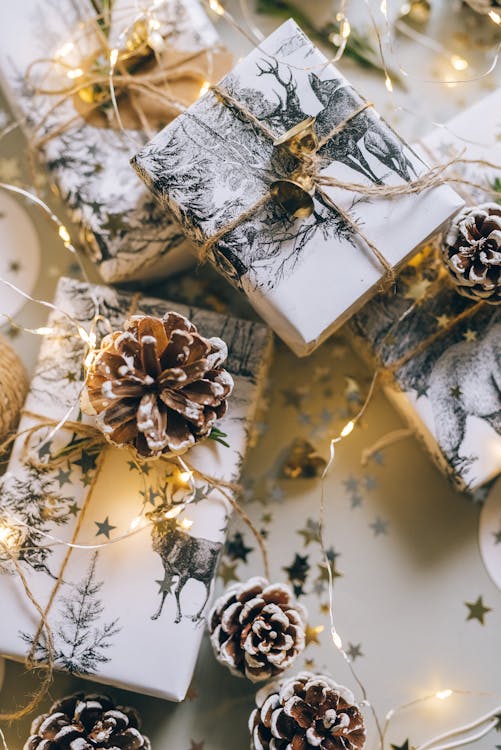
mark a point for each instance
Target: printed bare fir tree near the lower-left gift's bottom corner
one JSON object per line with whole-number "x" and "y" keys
{"x": 80, "y": 643}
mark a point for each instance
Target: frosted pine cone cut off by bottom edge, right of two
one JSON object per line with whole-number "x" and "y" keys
{"x": 306, "y": 711}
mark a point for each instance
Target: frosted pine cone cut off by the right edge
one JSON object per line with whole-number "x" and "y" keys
{"x": 472, "y": 252}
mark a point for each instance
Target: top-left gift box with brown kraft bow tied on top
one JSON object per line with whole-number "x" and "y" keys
{"x": 47, "y": 46}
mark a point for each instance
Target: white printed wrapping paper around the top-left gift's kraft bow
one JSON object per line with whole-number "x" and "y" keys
{"x": 125, "y": 232}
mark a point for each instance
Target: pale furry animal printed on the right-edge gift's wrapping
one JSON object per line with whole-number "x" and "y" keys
{"x": 466, "y": 381}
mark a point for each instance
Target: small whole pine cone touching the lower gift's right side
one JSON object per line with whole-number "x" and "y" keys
{"x": 257, "y": 629}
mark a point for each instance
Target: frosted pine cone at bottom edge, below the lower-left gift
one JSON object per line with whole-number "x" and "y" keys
{"x": 81, "y": 722}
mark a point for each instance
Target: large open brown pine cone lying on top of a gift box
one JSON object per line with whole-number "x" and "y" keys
{"x": 158, "y": 385}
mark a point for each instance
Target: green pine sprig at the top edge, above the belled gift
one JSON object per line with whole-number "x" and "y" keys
{"x": 358, "y": 47}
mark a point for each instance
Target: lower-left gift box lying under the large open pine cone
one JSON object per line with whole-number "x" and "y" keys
{"x": 114, "y": 612}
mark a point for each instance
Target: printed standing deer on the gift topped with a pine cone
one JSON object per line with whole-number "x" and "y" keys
{"x": 184, "y": 556}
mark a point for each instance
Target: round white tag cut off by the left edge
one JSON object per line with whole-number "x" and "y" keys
{"x": 19, "y": 254}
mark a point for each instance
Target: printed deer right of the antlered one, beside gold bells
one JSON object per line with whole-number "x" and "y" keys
{"x": 339, "y": 102}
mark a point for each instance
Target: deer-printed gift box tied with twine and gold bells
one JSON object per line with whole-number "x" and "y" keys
{"x": 221, "y": 169}
